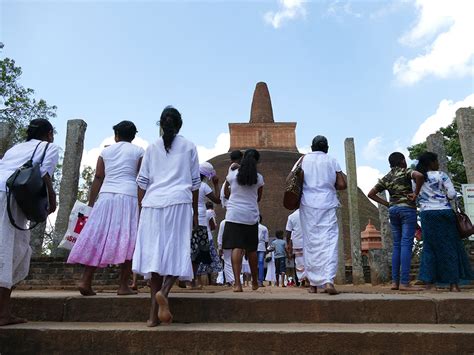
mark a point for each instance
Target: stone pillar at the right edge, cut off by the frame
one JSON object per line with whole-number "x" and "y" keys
{"x": 465, "y": 122}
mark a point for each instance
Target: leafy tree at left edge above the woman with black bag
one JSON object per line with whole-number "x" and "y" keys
{"x": 17, "y": 103}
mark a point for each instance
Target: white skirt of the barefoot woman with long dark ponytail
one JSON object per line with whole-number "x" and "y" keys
{"x": 164, "y": 242}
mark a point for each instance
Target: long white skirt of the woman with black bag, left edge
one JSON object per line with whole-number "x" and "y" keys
{"x": 15, "y": 250}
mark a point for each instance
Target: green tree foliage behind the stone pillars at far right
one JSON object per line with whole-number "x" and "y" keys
{"x": 453, "y": 152}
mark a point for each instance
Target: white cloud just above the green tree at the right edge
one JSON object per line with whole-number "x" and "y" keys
{"x": 443, "y": 117}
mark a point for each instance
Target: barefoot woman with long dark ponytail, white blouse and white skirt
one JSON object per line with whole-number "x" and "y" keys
{"x": 169, "y": 182}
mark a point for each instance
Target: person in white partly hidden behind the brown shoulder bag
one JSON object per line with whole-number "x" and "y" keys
{"x": 295, "y": 235}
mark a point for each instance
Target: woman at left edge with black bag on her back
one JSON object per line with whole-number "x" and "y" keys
{"x": 15, "y": 251}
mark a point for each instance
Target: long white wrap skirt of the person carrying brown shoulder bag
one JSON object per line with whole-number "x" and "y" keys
{"x": 320, "y": 235}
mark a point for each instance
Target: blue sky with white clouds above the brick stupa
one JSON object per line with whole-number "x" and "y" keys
{"x": 387, "y": 73}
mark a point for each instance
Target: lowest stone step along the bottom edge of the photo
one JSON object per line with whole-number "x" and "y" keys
{"x": 232, "y": 338}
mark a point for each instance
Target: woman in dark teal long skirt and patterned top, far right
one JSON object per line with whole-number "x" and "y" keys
{"x": 443, "y": 259}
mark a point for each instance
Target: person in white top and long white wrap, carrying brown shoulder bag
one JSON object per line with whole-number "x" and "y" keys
{"x": 322, "y": 177}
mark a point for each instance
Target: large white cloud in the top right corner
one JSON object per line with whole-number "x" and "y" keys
{"x": 444, "y": 32}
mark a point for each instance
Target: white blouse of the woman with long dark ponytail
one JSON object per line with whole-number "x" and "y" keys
{"x": 169, "y": 177}
